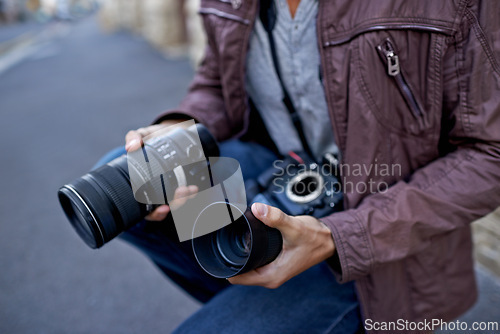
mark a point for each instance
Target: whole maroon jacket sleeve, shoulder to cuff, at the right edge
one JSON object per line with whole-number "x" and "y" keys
{"x": 452, "y": 191}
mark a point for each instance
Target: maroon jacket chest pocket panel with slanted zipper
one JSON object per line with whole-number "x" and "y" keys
{"x": 397, "y": 73}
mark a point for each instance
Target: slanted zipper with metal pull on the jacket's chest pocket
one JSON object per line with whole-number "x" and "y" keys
{"x": 390, "y": 58}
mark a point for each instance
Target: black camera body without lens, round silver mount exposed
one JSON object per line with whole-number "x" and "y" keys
{"x": 299, "y": 186}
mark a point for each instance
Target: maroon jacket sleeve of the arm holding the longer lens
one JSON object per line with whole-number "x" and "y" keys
{"x": 204, "y": 101}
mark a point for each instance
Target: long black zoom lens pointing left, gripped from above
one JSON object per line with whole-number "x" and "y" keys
{"x": 101, "y": 204}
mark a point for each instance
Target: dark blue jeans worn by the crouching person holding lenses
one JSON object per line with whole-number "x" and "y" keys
{"x": 312, "y": 302}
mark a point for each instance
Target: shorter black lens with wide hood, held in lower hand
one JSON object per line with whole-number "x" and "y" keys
{"x": 242, "y": 245}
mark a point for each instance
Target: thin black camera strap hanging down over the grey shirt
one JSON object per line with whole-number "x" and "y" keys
{"x": 268, "y": 18}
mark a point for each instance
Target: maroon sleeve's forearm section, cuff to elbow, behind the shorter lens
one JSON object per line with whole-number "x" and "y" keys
{"x": 445, "y": 195}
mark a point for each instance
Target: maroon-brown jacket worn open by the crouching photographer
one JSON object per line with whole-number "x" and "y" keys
{"x": 438, "y": 119}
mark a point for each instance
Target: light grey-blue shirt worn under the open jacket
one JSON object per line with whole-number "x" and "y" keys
{"x": 298, "y": 54}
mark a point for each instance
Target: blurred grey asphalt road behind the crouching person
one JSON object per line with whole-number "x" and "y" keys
{"x": 66, "y": 98}
